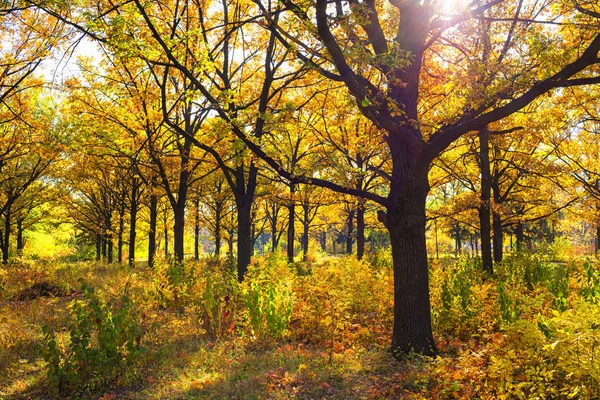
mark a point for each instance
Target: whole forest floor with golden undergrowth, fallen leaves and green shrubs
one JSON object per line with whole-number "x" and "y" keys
{"x": 317, "y": 331}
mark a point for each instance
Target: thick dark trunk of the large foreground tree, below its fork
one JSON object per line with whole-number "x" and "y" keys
{"x": 405, "y": 221}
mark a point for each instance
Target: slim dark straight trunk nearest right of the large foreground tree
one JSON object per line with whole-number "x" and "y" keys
{"x": 484, "y": 206}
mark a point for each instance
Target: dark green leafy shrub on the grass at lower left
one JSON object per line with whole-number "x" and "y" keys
{"x": 103, "y": 347}
